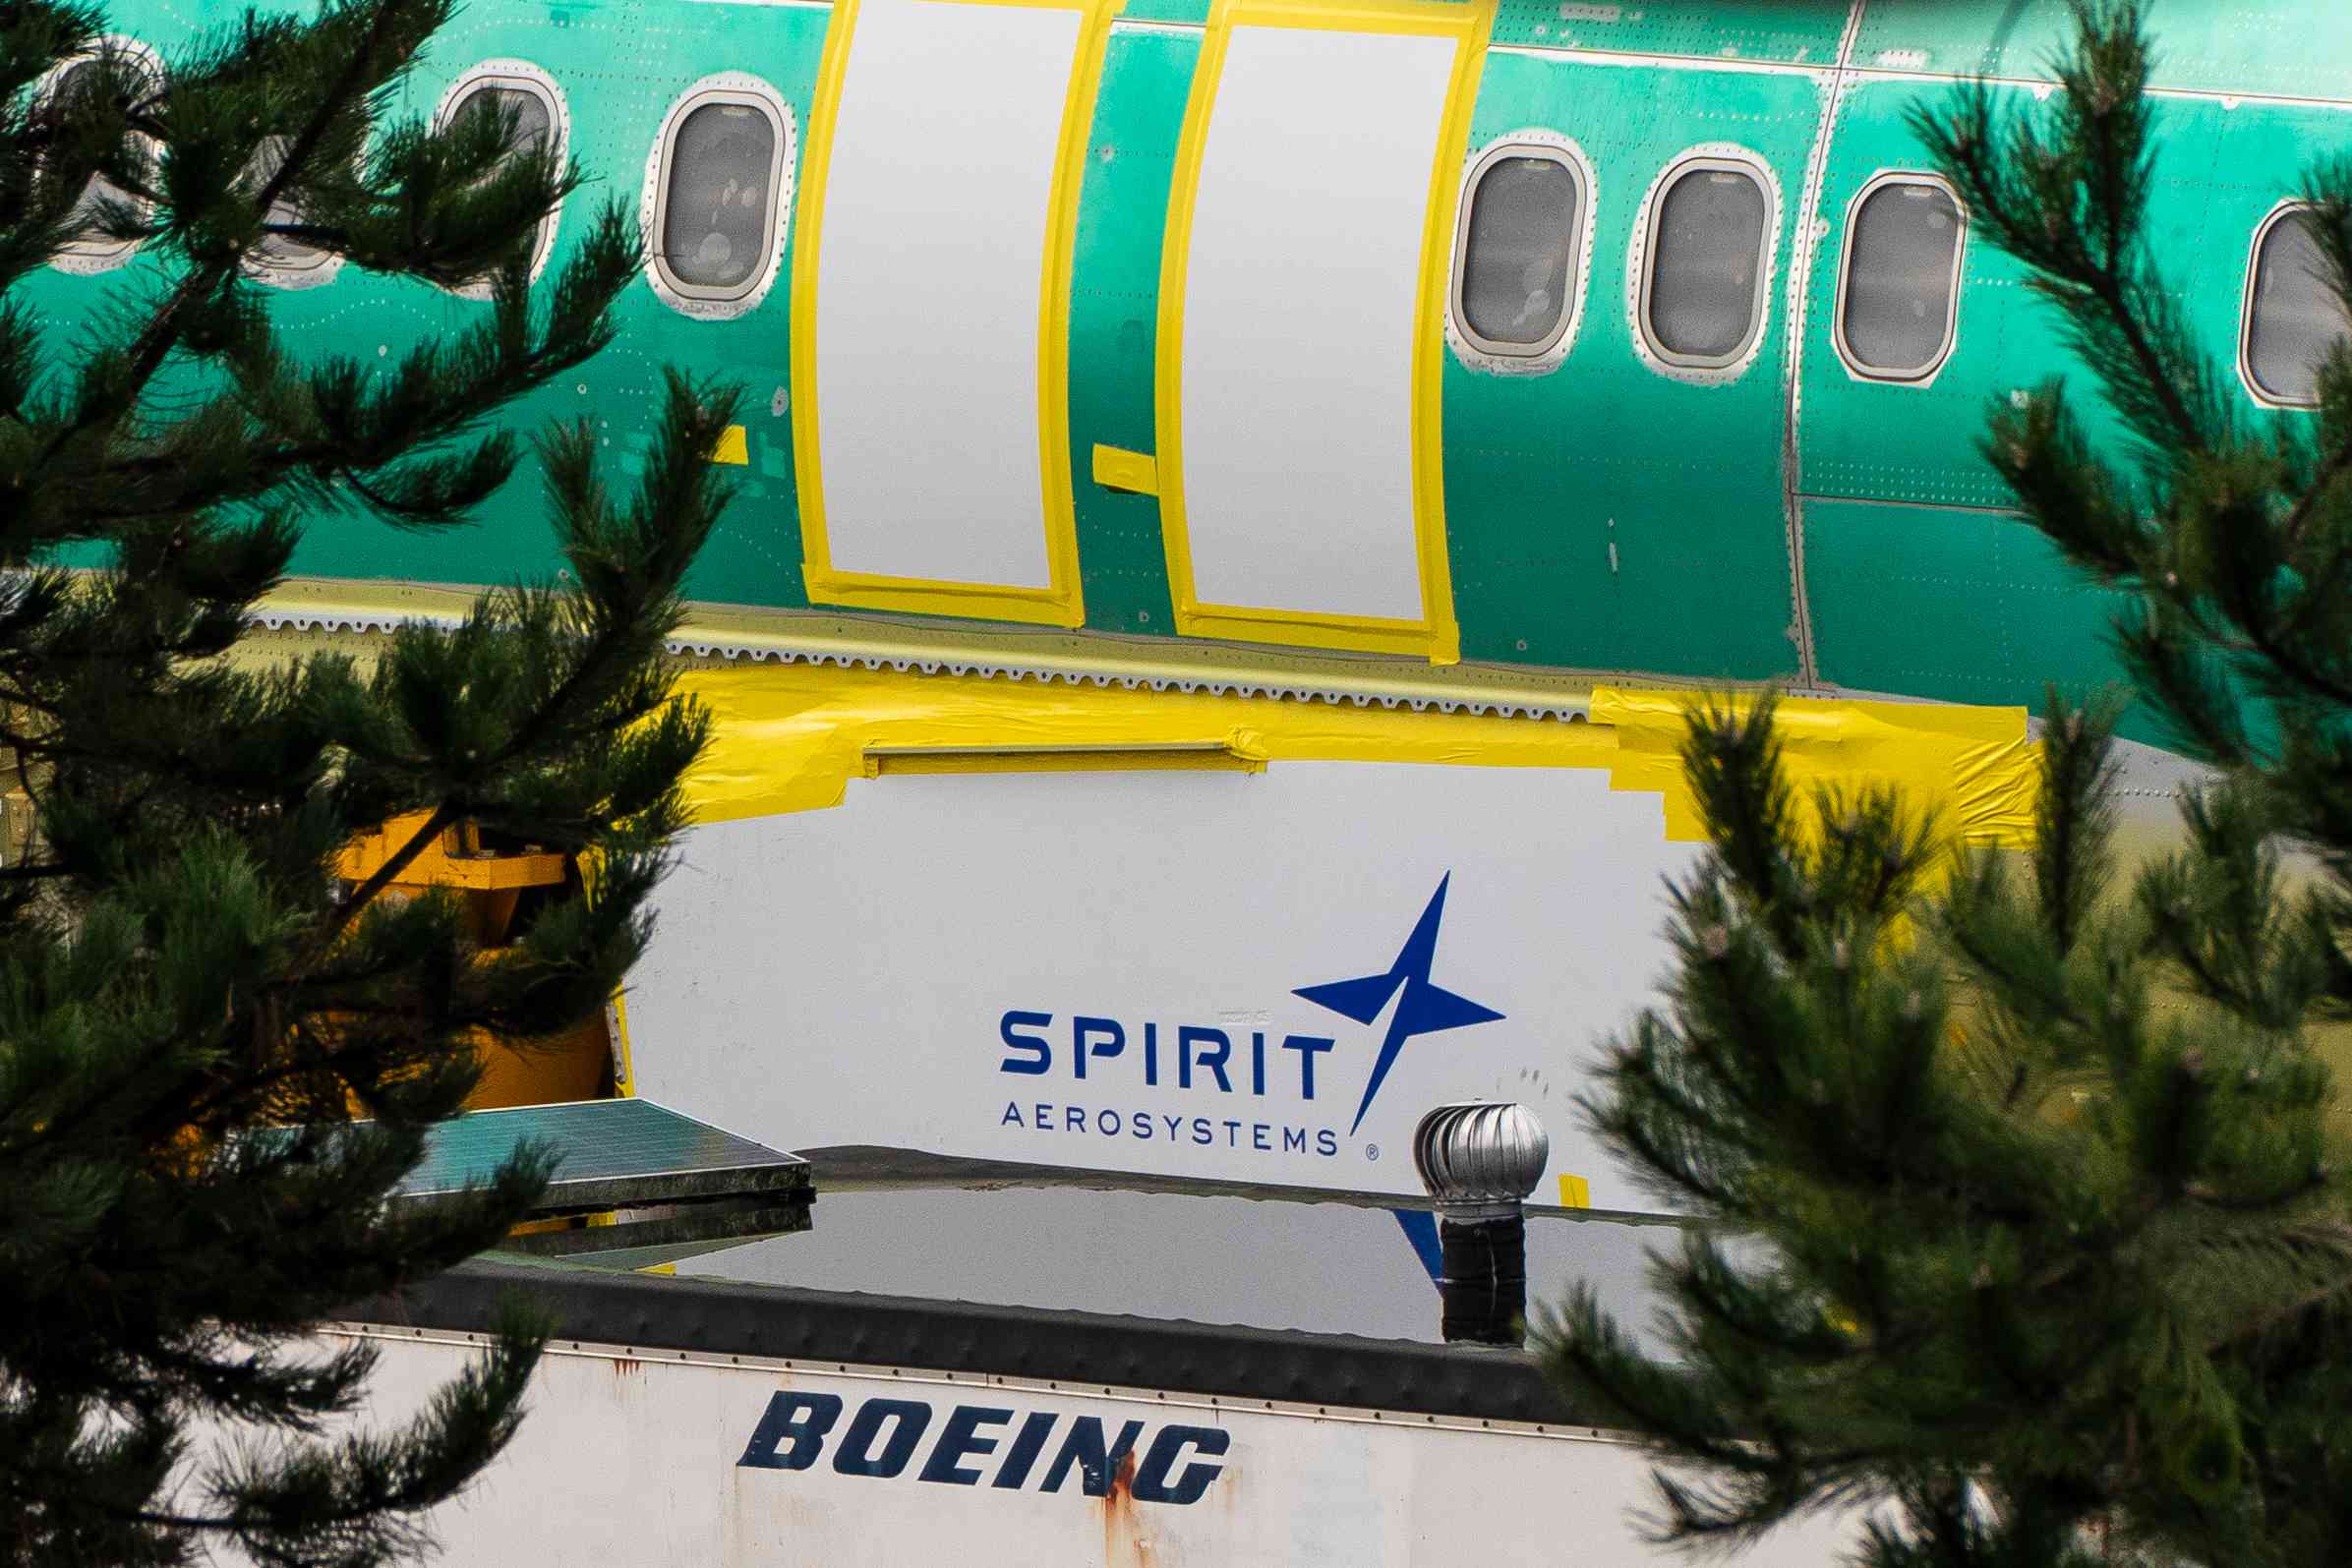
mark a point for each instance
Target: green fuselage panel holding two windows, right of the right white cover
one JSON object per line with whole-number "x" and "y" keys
{"x": 1546, "y": 474}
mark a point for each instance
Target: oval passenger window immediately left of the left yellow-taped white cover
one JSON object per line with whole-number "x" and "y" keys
{"x": 719, "y": 199}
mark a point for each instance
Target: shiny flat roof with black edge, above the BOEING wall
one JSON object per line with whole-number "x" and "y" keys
{"x": 994, "y": 1271}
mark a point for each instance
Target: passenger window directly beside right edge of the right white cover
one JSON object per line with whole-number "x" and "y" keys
{"x": 1521, "y": 253}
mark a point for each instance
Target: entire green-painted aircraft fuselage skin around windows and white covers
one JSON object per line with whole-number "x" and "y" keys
{"x": 1913, "y": 587}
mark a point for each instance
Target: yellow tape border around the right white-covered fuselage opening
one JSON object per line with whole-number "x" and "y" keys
{"x": 1438, "y": 634}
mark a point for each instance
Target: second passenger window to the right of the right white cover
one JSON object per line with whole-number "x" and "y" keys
{"x": 1704, "y": 288}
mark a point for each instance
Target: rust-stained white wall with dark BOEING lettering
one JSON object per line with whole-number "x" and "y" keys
{"x": 634, "y": 1461}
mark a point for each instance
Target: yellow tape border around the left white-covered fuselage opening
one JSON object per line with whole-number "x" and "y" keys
{"x": 1062, "y": 601}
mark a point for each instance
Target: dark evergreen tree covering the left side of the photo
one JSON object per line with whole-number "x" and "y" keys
{"x": 215, "y": 1057}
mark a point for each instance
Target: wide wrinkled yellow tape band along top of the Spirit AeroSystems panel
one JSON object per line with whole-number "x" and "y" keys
{"x": 794, "y": 737}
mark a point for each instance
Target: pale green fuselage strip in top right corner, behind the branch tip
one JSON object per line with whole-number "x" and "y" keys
{"x": 2283, "y": 48}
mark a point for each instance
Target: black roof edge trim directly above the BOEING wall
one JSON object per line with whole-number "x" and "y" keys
{"x": 791, "y": 1325}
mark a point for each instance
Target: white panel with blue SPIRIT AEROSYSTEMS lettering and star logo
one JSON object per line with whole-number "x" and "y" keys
{"x": 1236, "y": 977}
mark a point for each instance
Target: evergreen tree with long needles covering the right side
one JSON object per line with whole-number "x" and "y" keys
{"x": 2019, "y": 1212}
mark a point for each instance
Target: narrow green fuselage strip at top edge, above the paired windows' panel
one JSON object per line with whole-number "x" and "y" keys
{"x": 1791, "y": 32}
